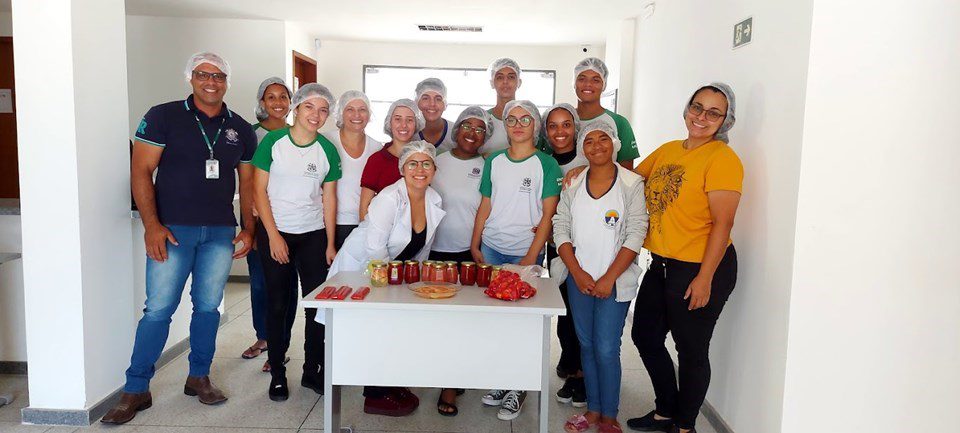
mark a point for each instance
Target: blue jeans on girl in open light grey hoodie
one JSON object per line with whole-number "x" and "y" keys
{"x": 599, "y": 325}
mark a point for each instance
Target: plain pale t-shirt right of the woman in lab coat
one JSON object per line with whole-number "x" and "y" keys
{"x": 458, "y": 182}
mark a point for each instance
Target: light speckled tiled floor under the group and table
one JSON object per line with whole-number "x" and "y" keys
{"x": 249, "y": 410}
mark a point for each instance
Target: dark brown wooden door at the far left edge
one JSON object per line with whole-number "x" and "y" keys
{"x": 9, "y": 173}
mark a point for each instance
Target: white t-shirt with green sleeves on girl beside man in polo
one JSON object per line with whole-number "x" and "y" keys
{"x": 297, "y": 175}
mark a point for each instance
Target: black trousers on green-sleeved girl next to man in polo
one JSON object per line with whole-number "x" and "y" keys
{"x": 307, "y": 254}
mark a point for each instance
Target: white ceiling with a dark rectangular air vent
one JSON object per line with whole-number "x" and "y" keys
{"x": 513, "y": 22}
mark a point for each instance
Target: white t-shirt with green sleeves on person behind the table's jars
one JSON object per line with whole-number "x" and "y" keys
{"x": 516, "y": 190}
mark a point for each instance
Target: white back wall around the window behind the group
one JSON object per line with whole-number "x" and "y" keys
{"x": 340, "y": 63}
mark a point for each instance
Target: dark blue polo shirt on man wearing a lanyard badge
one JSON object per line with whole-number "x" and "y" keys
{"x": 184, "y": 195}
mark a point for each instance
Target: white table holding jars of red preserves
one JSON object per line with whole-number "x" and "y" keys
{"x": 395, "y": 338}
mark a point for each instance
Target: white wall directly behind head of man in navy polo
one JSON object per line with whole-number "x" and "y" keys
{"x": 158, "y": 48}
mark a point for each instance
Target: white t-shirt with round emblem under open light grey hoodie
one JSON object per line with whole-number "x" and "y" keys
{"x": 595, "y": 227}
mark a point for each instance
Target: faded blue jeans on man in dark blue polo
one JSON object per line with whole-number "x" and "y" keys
{"x": 206, "y": 253}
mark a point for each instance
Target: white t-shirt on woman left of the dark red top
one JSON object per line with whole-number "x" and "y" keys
{"x": 348, "y": 187}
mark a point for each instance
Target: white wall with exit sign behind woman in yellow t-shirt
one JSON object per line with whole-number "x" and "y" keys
{"x": 685, "y": 44}
